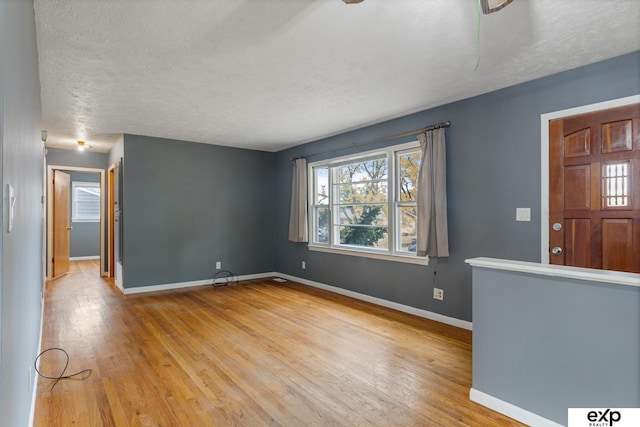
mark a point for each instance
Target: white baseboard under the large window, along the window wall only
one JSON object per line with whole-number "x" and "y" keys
{"x": 384, "y": 303}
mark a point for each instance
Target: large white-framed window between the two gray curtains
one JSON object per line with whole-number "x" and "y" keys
{"x": 366, "y": 203}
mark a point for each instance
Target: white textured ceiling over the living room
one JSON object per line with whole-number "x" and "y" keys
{"x": 271, "y": 74}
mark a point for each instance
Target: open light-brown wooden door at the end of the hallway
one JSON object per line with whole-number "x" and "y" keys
{"x": 61, "y": 222}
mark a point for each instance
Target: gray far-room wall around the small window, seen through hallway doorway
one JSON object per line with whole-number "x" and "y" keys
{"x": 84, "y": 238}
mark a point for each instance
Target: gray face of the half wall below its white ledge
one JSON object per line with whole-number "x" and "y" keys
{"x": 546, "y": 344}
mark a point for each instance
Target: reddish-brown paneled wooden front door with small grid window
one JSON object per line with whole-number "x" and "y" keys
{"x": 594, "y": 190}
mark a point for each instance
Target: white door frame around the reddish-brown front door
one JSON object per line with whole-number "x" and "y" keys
{"x": 544, "y": 158}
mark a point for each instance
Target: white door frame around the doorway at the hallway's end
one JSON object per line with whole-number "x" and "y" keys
{"x": 50, "y": 169}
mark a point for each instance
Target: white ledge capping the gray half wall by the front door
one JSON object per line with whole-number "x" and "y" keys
{"x": 562, "y": 271}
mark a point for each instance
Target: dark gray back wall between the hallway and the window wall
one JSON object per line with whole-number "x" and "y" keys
{"x": 188, "y": 205}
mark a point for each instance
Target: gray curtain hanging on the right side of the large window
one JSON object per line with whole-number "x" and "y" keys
{"x": 432, "y": 238}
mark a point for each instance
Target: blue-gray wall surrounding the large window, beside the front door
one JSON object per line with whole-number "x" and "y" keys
{"x": 493, "y": 167}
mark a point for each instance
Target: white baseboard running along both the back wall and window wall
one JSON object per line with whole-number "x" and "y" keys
{"x": 378, "y": 301}
